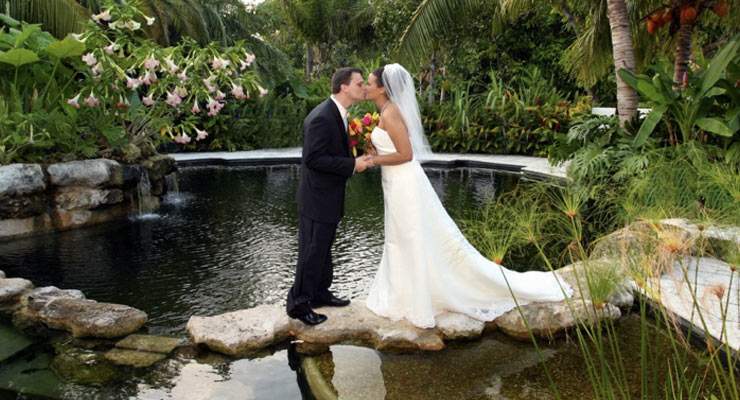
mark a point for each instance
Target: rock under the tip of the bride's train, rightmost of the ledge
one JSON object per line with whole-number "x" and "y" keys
{"x": 549, "y": 319}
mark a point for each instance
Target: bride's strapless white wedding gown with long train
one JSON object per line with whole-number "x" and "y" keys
{"x": 428, "y": 267}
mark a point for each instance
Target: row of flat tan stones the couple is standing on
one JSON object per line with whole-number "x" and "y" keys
{"x": 243, "y": 332}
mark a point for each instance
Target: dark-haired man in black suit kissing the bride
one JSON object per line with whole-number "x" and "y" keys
{"x": 325, "y": 167}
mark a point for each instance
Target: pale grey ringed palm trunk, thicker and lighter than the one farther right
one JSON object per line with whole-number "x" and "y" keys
{"x": 624, "y": 57}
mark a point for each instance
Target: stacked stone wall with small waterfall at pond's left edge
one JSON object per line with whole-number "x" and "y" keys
{"x": 37, "y": 198}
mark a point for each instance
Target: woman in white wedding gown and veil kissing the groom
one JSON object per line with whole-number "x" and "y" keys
{"x": 428, "y": 267}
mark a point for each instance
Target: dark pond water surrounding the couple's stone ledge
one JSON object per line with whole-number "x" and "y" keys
{"x": 227, "y": 241}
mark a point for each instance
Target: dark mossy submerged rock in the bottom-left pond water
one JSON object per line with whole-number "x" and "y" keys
{"x": 83, "y": 366}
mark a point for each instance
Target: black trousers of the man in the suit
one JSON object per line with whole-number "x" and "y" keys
{"x": 314, "y": 272}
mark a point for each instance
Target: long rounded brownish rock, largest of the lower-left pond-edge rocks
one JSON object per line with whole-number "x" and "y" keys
{"x": 85, "y": 318}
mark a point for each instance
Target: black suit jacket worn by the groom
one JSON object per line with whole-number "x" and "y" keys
{"x": 325, "y": 166}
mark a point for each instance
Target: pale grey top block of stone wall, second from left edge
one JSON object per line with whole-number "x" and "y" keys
{"x": 90, "y": 173}
